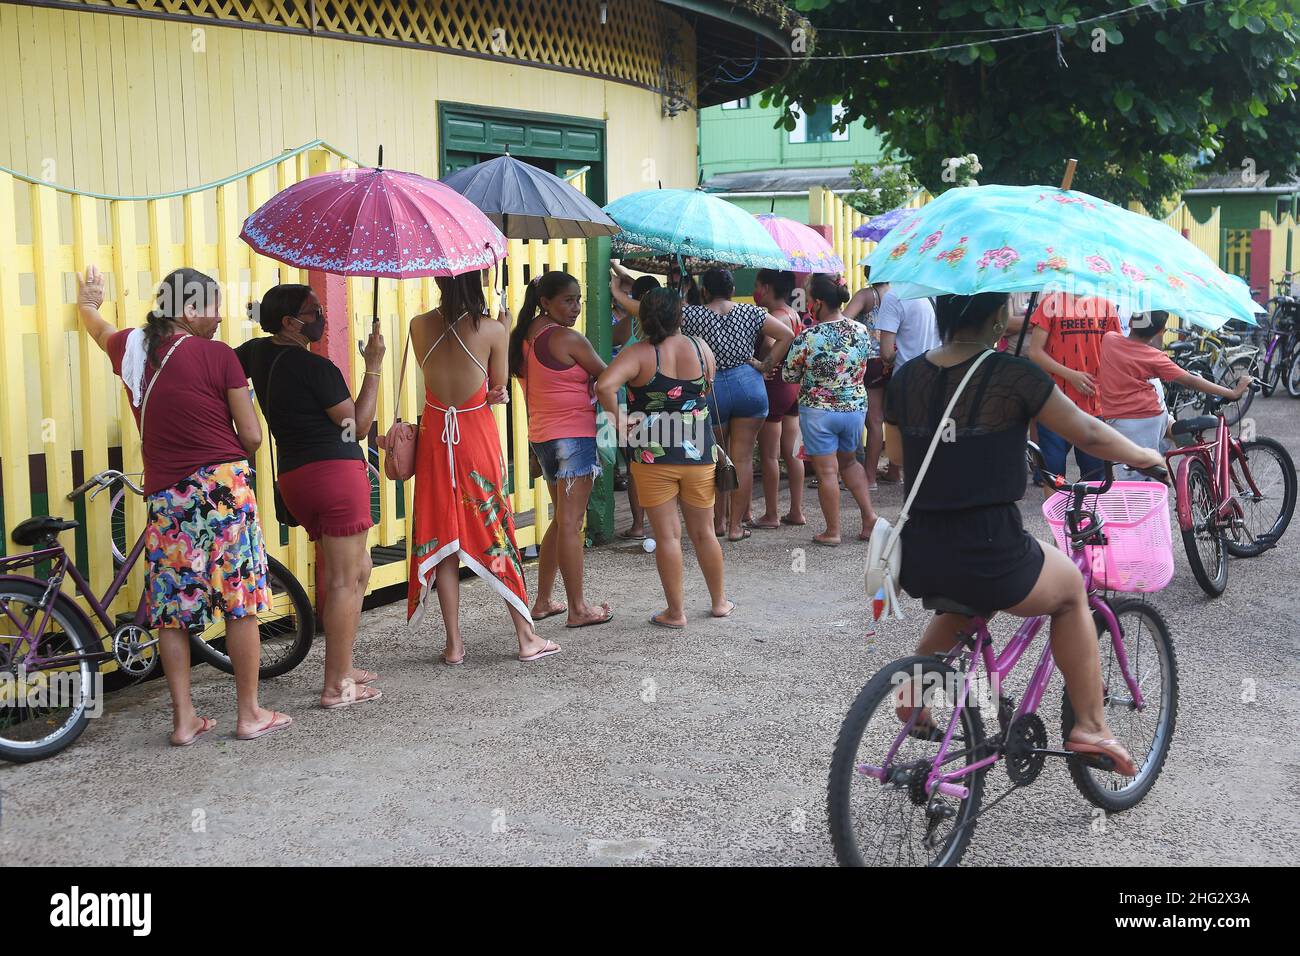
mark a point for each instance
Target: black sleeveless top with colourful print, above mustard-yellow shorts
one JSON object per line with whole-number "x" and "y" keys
{"x": 669, "y": 419}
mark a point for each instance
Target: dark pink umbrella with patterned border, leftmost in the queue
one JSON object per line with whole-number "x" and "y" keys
{"x": 378, "y": 223}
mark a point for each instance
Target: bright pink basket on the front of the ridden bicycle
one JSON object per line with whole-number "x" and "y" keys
{"x": 1139, "y": 551}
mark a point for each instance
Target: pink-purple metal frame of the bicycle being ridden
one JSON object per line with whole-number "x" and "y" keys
{"x": 981, "y": 648}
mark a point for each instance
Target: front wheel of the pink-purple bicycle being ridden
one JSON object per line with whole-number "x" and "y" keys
{"x": 1147, "y": 734}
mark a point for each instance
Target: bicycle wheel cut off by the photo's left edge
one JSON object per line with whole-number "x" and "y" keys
{"x": 50, "y": 710}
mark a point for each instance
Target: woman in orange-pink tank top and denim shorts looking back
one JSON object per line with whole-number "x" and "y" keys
{"x": 557, "y": 366}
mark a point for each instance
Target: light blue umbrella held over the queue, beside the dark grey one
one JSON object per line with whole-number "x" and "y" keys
{"x": 696, "y": 227}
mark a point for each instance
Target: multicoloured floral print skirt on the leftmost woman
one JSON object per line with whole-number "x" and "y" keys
{"x": 205, "y": 552}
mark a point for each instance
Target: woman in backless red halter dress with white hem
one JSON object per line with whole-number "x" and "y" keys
{"x": 461, "y": 508}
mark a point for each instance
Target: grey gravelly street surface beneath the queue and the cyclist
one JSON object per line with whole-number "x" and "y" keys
{"x": 708, "y": 746}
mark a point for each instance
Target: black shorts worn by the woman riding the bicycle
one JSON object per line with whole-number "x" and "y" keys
{"x": 982, "y": 557}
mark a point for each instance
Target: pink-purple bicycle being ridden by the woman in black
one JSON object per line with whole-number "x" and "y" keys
{"x": 909, "y": 794}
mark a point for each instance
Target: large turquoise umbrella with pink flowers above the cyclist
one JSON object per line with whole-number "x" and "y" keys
{"x": 1043, "y": 239}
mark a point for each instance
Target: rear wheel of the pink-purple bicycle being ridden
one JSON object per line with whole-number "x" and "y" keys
{"x": 892, "y": 823}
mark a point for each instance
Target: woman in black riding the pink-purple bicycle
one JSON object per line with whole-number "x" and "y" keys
{"x": 965, "y": 539}
